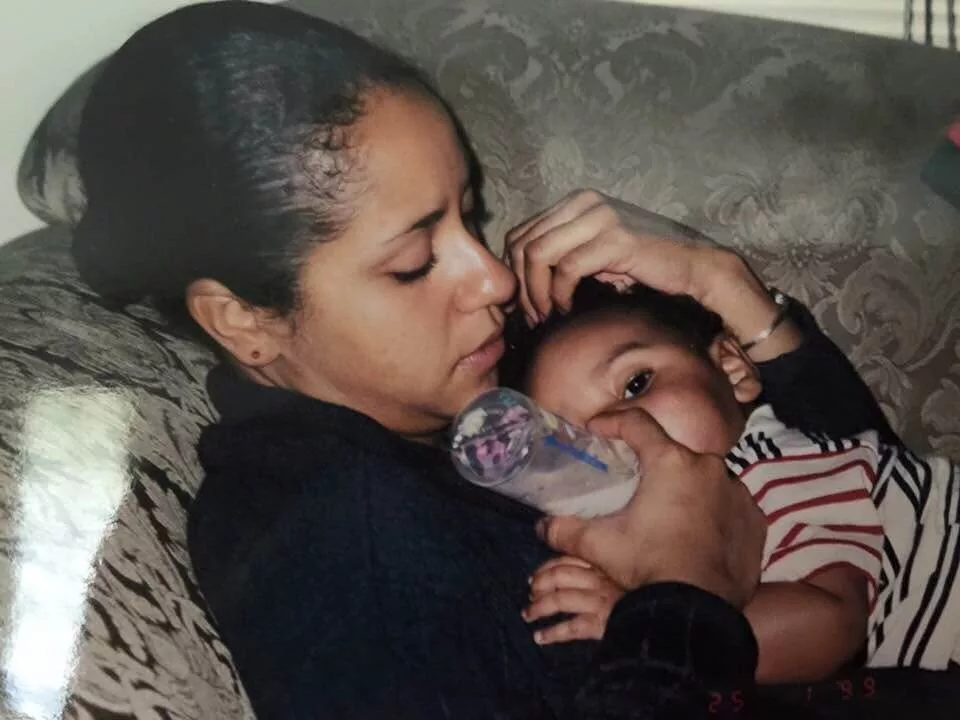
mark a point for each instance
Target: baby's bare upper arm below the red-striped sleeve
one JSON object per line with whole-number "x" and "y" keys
{"x": 808, "y": 630}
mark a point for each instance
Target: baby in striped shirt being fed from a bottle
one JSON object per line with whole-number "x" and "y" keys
{"x": 862, "y": 546}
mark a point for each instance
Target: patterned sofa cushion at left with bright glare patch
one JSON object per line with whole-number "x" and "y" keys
{"x": 99, "y": 414}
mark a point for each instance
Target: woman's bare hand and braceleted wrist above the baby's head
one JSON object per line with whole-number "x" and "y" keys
{"x": 589, "y": 234}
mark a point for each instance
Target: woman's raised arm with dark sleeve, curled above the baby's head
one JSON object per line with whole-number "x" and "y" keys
{"x": 810, "y": 383}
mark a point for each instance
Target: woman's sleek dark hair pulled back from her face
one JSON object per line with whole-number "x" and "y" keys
{"x": 214, "y": 145}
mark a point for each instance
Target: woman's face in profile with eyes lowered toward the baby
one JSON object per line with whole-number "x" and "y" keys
{"x": 401, "y": 314}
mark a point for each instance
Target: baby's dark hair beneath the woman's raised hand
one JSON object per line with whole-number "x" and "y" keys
{"x": 680, "y": 316}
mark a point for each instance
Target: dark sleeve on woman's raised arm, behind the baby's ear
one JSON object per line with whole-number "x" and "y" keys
{"x": 816, "y": 389}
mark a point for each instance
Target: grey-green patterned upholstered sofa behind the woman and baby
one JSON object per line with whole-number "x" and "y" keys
{"x": 802, "y": 148}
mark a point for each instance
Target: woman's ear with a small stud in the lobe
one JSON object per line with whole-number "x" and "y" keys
{"x": 241, "y": 329}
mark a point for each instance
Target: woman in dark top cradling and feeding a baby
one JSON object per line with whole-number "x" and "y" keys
{"x": 306, "y": 201}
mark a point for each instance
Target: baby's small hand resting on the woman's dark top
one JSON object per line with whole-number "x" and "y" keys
{"x": 571, "y": 585}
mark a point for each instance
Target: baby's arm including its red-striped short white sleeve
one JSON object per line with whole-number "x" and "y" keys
{"x": 822, "y": 560}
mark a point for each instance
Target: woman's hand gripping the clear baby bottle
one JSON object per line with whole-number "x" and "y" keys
{"x": 687, "y": 522}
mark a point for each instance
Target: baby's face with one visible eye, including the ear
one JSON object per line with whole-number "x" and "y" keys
{"x": 619, "y": 362}
